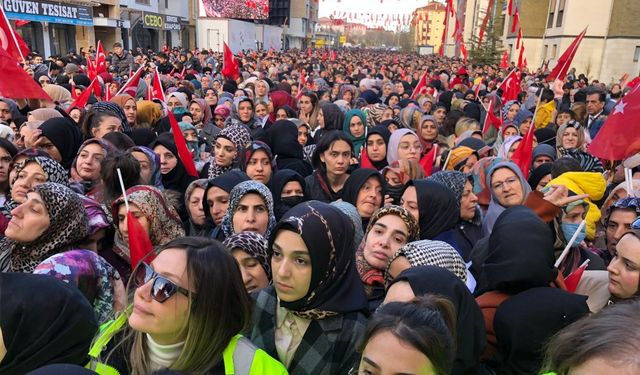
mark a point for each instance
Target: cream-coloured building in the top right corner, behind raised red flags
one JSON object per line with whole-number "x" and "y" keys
{"x": 610, "y": 48}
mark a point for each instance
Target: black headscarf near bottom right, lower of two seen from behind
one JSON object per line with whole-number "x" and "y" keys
{"x": 525, "y": 322}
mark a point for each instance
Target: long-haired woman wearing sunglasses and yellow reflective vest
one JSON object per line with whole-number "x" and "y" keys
{"x": 169, "y": 324}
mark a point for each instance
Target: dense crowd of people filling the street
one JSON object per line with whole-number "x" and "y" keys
{"x": 344, "y": 218}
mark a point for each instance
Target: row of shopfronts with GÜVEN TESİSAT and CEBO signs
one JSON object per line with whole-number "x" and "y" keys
{"x": 56, "y": 27}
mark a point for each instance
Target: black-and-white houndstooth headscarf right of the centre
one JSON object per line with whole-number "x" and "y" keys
{"x": 431, "y": 253}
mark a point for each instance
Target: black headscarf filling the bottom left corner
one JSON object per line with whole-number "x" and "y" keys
{"x": 43, "y": 321}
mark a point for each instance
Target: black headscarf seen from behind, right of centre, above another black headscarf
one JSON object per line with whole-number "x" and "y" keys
{"x": 520, "y": 253}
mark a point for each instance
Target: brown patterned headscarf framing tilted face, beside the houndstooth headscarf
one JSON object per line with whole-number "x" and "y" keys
{"x": 368, "y": 274}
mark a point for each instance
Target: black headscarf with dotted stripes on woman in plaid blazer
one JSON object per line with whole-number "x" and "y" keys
{"x": 328, "y": 234}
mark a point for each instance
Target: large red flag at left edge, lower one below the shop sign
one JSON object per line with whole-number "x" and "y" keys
{"x": 15, "y": 83}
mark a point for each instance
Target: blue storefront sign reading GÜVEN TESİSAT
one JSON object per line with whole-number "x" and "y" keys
{"x": 48, "y": 11}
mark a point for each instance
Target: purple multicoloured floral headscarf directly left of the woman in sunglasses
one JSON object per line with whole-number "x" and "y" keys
{"x": 93, "y": 275}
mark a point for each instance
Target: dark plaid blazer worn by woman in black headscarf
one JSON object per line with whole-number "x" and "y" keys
{"x": 328, "y": 347}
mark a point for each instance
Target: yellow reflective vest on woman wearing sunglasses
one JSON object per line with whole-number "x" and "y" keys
{"x": 240, "y": 357}
